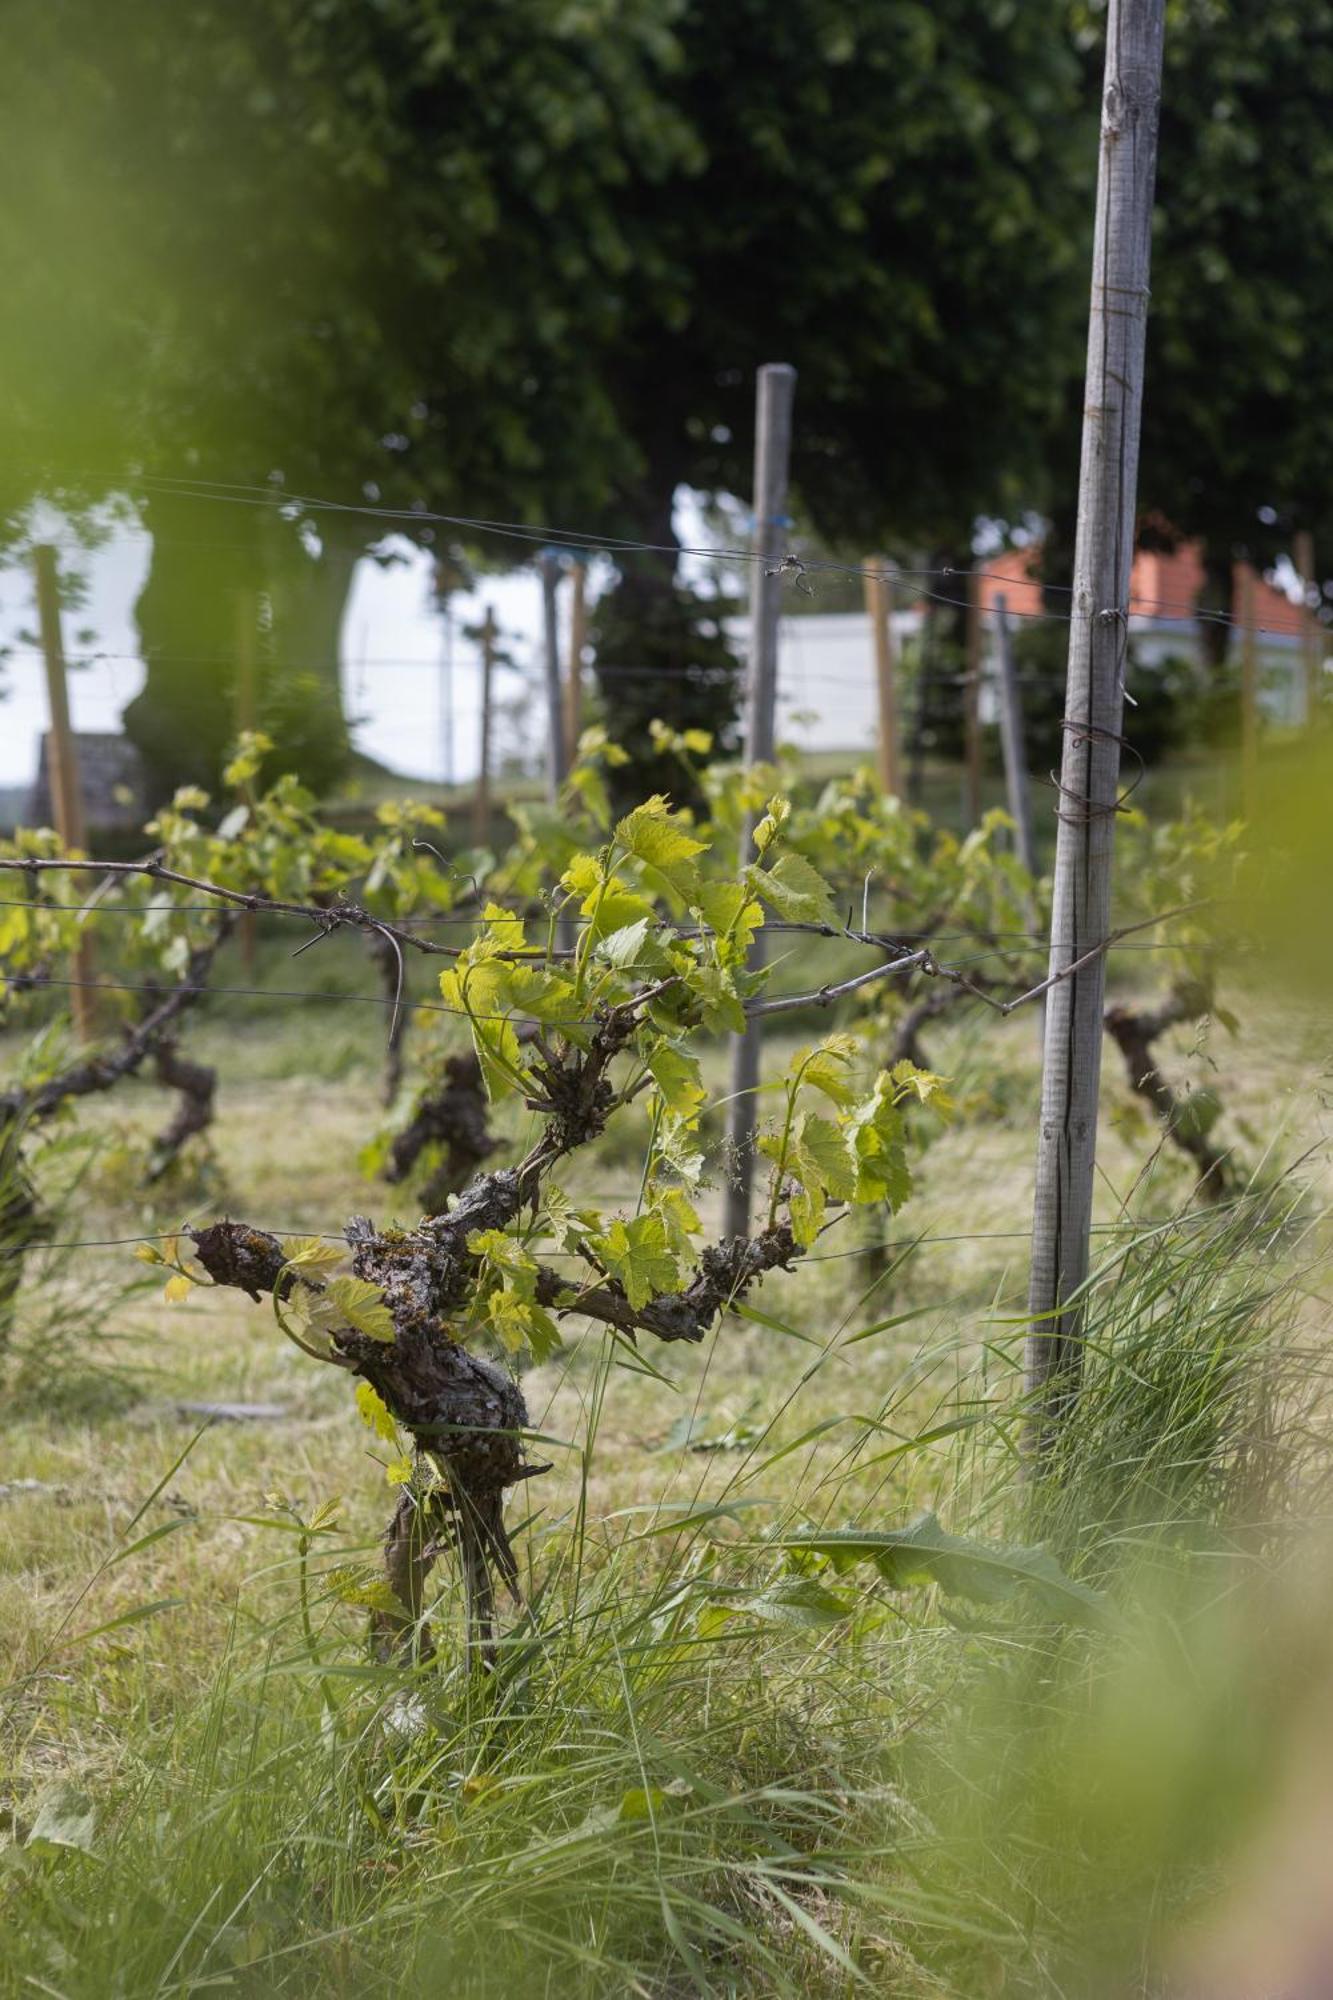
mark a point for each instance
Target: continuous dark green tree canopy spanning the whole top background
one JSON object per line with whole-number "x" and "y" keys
{"x": 523, "y": 263}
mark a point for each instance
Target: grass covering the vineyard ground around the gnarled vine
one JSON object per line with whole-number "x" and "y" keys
{"x": 692, "y": 1773}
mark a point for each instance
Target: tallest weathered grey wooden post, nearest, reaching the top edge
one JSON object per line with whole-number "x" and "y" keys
{"x": 1094, "y": 705}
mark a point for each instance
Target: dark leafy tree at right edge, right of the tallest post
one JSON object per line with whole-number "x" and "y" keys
{"x": 1238, "y": 415}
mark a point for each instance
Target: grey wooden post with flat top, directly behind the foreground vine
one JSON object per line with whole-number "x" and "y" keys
{"x": 774, "y": 399}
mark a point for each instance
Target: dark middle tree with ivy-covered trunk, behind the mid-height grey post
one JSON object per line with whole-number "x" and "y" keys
{"x": 884, "y": 195}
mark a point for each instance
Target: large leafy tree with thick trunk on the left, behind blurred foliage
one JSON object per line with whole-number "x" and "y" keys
{"x": 343, "y": 251}
